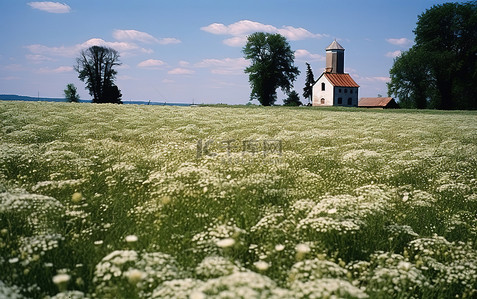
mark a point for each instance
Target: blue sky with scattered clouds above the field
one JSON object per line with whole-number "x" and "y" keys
{"x": 184, "y": 51}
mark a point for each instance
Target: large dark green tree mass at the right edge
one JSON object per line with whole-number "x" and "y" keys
{"x": 439, "y": 71}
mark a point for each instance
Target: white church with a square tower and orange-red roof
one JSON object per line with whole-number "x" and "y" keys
{"x": 334, "y": 87}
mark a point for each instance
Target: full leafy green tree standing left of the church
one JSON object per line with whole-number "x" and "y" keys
{"x": 272, "y": 66}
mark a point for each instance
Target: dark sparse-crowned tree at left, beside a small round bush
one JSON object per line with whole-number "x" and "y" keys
{"x": 95, "y": 66}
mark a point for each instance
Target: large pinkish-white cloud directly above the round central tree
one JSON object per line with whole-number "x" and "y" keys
{"x": 239, "y": 30}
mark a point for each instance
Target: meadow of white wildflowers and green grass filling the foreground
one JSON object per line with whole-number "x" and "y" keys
{"x": 126, "y": 201}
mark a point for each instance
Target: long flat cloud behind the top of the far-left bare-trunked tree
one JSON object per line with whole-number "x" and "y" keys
{"x": 124, "y": 48}
